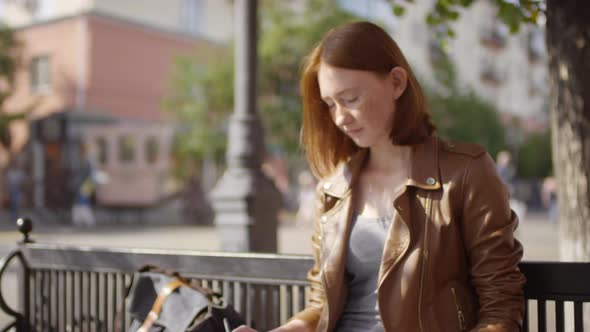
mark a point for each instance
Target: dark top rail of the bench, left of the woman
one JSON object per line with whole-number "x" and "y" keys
{"x": 245, "y": 267}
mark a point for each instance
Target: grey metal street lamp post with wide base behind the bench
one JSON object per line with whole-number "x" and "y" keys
{"x": 245, "y": 201}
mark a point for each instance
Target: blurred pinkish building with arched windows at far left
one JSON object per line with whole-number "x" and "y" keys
{"x": 98, "y": 81}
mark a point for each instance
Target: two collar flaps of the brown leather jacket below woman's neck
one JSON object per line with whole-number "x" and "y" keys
{"x": 423, "y": 169}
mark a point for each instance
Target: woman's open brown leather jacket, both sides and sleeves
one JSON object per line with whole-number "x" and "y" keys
{"x": 450, "y": 261}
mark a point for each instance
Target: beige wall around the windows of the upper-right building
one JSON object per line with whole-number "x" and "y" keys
{"x": 512, "y": 95}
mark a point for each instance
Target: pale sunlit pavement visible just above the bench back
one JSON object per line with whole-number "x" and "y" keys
{"x": 538, "y": 235}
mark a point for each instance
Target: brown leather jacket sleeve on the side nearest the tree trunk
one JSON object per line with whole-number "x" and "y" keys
{"x": 493, "y": 252}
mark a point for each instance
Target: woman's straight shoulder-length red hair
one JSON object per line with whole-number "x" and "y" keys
{"x": 359, "y": 46}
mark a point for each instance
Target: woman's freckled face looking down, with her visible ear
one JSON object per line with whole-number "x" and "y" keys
{"x": 362, "y": 103}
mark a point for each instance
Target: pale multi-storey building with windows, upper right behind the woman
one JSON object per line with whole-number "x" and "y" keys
{"x": 507, "y": 70}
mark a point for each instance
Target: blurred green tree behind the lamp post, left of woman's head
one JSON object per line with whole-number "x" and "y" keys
{"x": 202, "y": 97}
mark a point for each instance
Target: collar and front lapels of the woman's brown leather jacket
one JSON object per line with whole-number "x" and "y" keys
{"x": 336, "y": 222}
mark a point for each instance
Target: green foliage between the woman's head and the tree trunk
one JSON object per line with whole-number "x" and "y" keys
{"x": 464, "y": 116}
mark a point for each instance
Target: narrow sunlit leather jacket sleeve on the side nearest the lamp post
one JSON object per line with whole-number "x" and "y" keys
{"x": 311, "y": 314}
